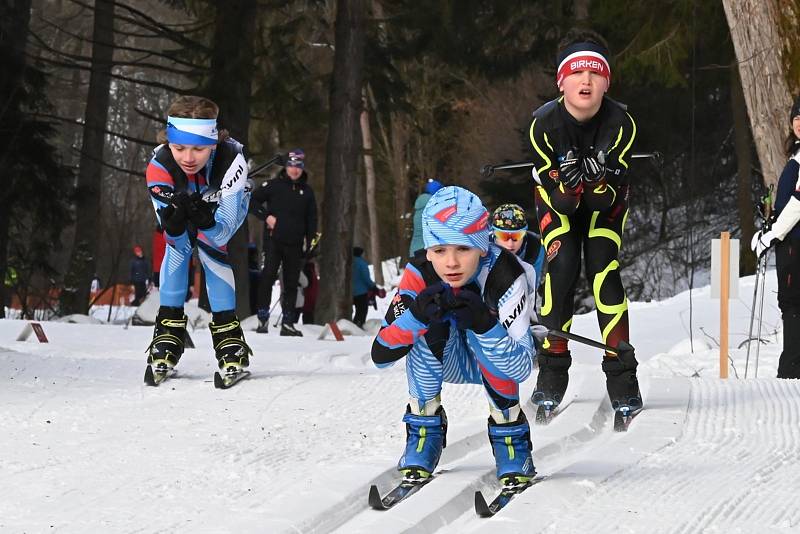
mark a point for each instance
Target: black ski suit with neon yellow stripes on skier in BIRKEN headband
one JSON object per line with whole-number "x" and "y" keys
{"x": 589, "y": 218}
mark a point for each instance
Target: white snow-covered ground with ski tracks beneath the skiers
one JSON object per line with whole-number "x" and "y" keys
{"x": 86, "y": 447}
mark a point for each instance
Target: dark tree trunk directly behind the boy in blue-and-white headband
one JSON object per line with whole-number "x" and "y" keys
{"x": 230, "y": 87}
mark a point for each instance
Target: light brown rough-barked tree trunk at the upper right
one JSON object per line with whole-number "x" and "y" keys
{"x": 756, "y": 39}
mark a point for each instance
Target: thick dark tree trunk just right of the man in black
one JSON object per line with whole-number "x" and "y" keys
{"x": 347, "y": 81}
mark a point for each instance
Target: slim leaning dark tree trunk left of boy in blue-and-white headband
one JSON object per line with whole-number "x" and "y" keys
{"x": 75, "y": 296}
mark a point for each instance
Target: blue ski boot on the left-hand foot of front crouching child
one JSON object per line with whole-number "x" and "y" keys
{"x": 425, "y": 439}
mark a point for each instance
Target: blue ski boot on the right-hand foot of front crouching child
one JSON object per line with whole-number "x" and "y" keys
{"x": 511, "y": 445}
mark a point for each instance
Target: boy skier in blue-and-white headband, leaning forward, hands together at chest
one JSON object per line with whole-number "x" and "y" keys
{"x": 197, "y": 180}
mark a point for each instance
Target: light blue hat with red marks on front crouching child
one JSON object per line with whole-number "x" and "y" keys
{"x": 455, "y": 216}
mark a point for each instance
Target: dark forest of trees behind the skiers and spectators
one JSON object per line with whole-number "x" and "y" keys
{"x": 382, "y": 95}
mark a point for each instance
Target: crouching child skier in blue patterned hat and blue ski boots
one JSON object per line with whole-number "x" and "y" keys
{"x": 461, "y": 316}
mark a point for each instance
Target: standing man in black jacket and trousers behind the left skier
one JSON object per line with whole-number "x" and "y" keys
{"x": 290, "y": 216}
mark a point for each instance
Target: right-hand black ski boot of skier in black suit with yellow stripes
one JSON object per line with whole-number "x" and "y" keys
{"x": 623, "y": 386}
